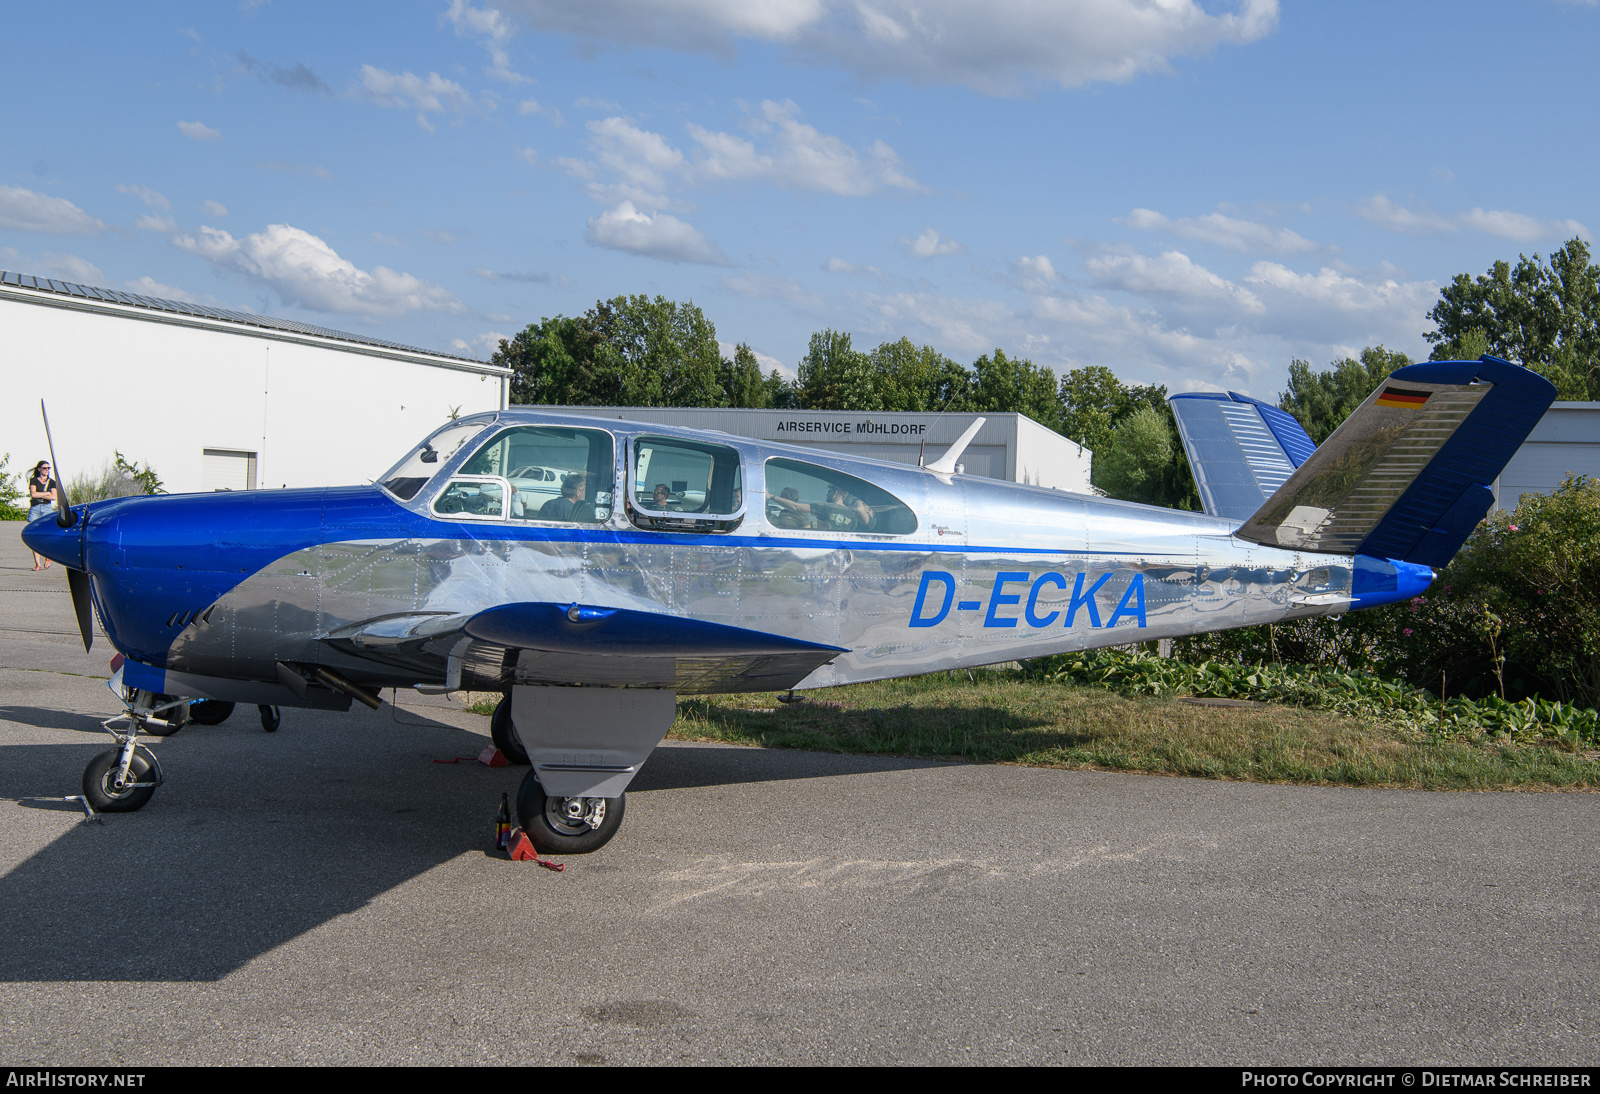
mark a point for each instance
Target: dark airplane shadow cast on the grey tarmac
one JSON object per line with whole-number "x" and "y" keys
{"x": 258, "y": 839}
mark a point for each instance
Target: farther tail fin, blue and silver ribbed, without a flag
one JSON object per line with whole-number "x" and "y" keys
{"x": 1241, "y": 450}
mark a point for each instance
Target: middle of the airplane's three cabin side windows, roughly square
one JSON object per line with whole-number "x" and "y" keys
{"x": 682, "y": 485}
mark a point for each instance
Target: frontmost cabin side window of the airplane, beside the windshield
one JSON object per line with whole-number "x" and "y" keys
{"x": 554, "y": 474}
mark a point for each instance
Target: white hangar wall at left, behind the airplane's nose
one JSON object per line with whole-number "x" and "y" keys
{"x": 215, "y": 399}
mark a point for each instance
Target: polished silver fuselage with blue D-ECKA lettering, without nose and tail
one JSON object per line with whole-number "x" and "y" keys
{"x": 1017, "y": 570}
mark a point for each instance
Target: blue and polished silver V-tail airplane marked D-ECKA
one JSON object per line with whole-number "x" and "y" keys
{"x": 692, "y": 562}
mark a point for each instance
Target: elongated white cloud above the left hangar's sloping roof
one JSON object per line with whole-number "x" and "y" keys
{"x": 306, "y": 273}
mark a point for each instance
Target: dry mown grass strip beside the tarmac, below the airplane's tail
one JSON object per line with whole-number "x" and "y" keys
{"x": 994, "y": 717}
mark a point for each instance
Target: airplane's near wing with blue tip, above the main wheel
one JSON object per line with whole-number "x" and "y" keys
{"x": 542, "y": 644}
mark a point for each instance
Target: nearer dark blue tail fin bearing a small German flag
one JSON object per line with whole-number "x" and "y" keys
{"x": 1409, "y": 474}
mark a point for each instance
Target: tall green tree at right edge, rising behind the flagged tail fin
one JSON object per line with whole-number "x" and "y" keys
{"x": 1543, "y": 317}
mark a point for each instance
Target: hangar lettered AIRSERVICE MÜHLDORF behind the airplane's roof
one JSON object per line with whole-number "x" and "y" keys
{"x": 1009, "y": 447}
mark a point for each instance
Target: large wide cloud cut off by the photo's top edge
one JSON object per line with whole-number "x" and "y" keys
{"x": 1001, "y": 49}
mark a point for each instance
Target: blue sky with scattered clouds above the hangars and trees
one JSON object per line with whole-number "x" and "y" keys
{"x": 1190, "y": 194}
